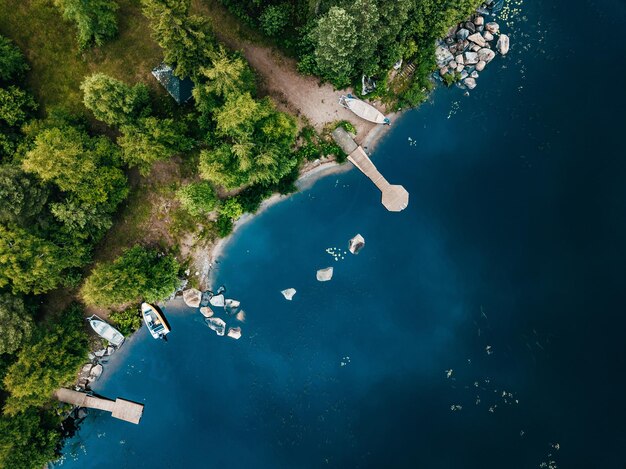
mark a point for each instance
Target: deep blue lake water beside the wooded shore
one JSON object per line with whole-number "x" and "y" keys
{"x": 514, "y": 239}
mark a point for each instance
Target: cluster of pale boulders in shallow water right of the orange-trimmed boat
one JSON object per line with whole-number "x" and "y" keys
{"x": 196, "y": 299}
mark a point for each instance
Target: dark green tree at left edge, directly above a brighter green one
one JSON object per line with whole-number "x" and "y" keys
{"x": 21, "y": 197}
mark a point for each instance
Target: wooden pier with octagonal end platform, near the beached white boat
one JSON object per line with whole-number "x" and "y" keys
{"x": 395, "y": 198}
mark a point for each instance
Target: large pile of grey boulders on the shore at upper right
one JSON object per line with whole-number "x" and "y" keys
{"x": 467, "y": 50}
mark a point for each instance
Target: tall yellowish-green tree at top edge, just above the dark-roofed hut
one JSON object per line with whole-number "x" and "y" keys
{"x": 186, "y": 40}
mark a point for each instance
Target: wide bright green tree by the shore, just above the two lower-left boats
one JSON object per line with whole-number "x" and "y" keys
{"x": 139, "y": 273}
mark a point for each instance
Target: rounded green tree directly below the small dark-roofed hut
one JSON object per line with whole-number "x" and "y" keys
{"x": 152, "y": 139}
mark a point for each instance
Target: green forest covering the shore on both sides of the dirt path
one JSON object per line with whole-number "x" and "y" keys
{"x": 75, "y": 160}
